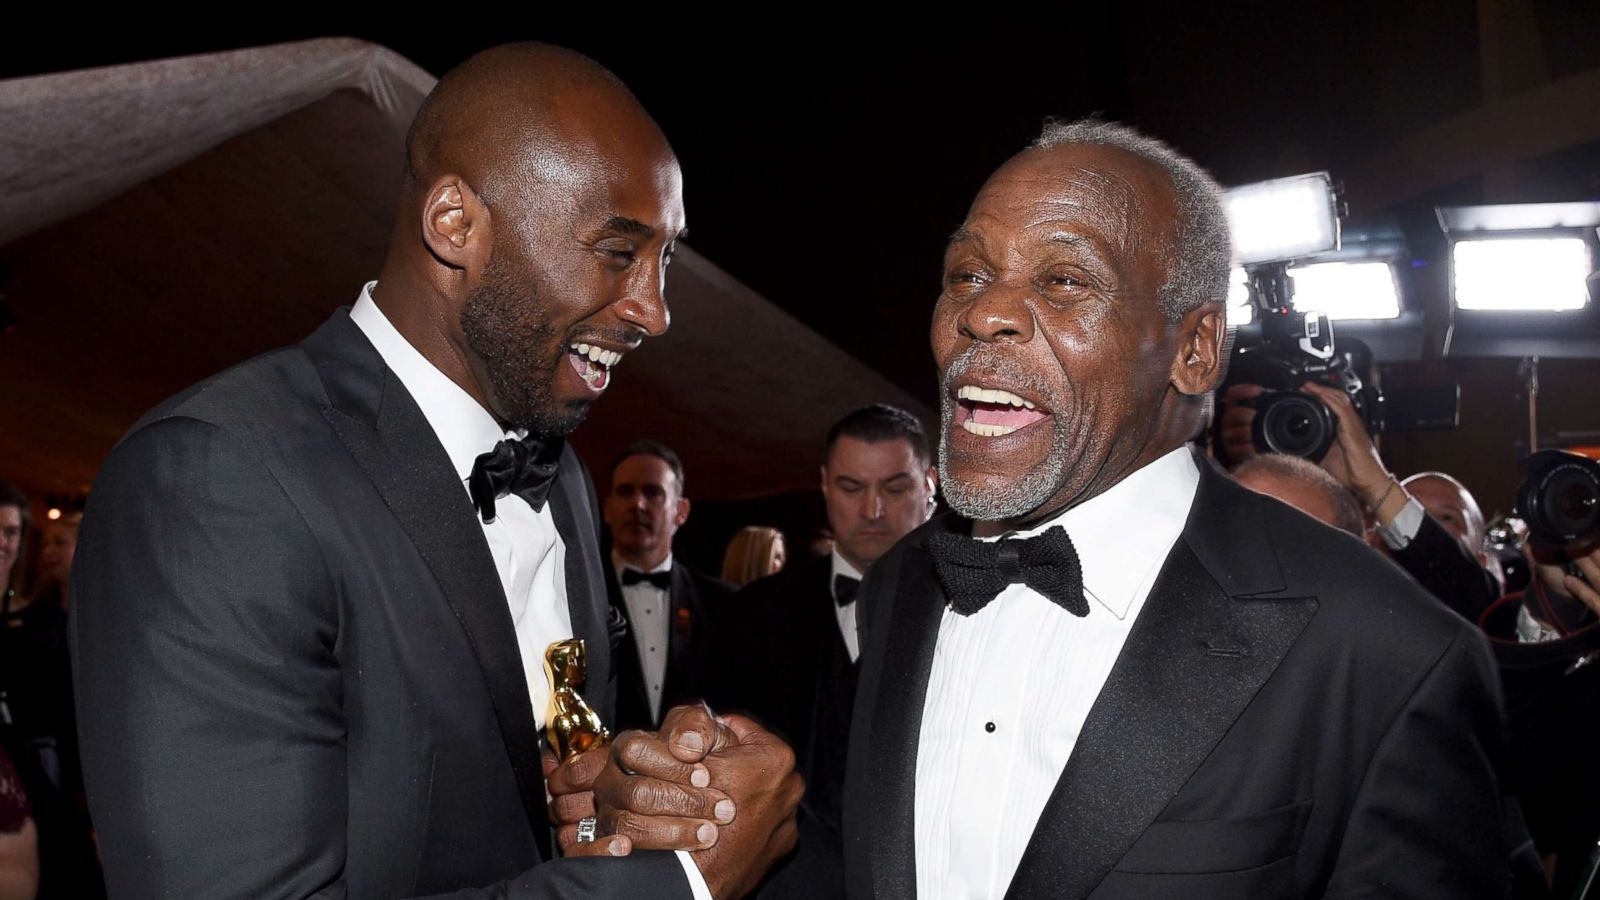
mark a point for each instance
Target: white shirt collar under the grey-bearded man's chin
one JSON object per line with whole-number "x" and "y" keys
{"x": 1126, "y": 534}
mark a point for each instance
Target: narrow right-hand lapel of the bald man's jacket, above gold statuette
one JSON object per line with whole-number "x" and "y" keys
{"x": 572, "y": 505}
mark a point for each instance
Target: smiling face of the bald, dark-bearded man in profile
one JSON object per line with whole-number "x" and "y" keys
{"x": 575, "y": 281}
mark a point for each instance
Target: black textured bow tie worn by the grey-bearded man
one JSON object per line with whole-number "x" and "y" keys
{"x": 975, "y": 573}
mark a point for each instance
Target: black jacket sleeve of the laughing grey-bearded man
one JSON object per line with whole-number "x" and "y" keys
{"x": 1428, "y": 818}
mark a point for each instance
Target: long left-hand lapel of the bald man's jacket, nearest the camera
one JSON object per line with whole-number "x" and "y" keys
{"x": 390, "y": 438}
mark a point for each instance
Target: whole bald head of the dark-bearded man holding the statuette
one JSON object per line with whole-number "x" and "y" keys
{"x": 540, "y": 211}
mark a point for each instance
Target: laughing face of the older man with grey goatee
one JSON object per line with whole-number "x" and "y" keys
{"x": 1057, "y": 361}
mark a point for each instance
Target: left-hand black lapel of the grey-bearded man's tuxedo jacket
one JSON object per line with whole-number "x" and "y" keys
{"x": 897, "y": 723}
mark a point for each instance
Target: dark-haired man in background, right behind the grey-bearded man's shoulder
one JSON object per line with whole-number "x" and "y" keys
{"x": 788, "y": 645}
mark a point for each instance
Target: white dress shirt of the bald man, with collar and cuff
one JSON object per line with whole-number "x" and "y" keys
{"x": 527, "y": 548}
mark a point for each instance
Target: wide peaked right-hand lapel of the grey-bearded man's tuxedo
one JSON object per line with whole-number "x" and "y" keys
{"x": 1193, "y": 664}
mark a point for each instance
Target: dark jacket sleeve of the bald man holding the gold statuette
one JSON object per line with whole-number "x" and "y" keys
{"x": 206, "y": 625}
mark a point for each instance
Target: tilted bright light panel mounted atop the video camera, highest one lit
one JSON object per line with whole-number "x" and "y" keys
{"x": 1286, "y": 219}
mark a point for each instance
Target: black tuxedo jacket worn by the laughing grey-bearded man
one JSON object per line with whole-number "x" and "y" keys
{"x": 1292, "y": 717}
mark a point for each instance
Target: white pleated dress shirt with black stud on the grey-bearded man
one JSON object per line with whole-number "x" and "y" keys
{"x": 1014, "y": 685}
